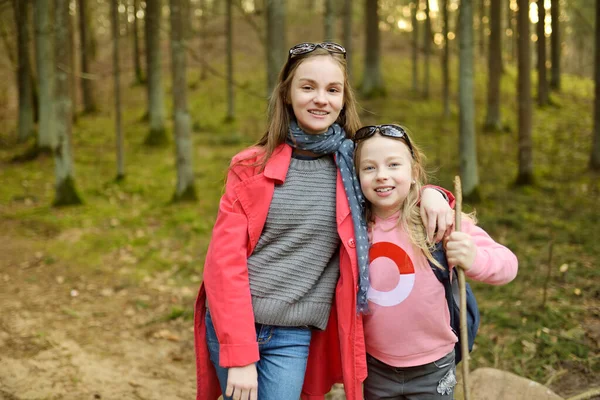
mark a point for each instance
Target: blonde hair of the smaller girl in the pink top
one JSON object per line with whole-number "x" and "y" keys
{"x": 410, "y": 214}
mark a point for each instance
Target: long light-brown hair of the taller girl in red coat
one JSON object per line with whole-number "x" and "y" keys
{"x": 280, "y": 109}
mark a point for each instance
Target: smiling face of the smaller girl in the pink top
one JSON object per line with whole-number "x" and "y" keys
{"x": 385, "y": 172}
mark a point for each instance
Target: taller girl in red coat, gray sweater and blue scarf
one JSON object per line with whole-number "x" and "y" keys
{"x": 284, "y": 245}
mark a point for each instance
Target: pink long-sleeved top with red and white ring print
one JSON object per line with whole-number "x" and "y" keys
{"x": 409, "y": 322}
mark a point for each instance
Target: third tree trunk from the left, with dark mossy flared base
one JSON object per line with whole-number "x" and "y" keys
{"x": 65, "y": 194}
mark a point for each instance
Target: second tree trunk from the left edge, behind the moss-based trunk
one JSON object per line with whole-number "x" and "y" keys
{"x": 44, "y": 61}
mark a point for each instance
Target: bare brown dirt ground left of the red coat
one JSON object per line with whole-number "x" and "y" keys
{"x": 70, "y": 336}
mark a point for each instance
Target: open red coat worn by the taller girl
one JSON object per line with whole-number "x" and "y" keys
{"x": 336, "y": 354}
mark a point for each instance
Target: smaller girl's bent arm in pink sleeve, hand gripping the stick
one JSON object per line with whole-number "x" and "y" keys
{"x": 480, "y": 256}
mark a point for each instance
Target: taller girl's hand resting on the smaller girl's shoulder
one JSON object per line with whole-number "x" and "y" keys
{"x": 436, "y": 212}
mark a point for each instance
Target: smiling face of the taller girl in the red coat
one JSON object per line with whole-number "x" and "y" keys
{"x": 317, "y": 93}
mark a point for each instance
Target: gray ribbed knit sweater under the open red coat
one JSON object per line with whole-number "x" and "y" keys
{"x": 294, "y": 267}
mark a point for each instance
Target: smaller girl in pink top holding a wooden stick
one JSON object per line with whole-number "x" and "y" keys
{"x": 409, "y": 342}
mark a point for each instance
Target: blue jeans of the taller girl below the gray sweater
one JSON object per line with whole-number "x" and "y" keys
{"x": 282, "y": 365}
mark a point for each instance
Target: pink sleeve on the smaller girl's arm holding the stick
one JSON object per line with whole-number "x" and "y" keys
{"x": 494, "y": 263}
